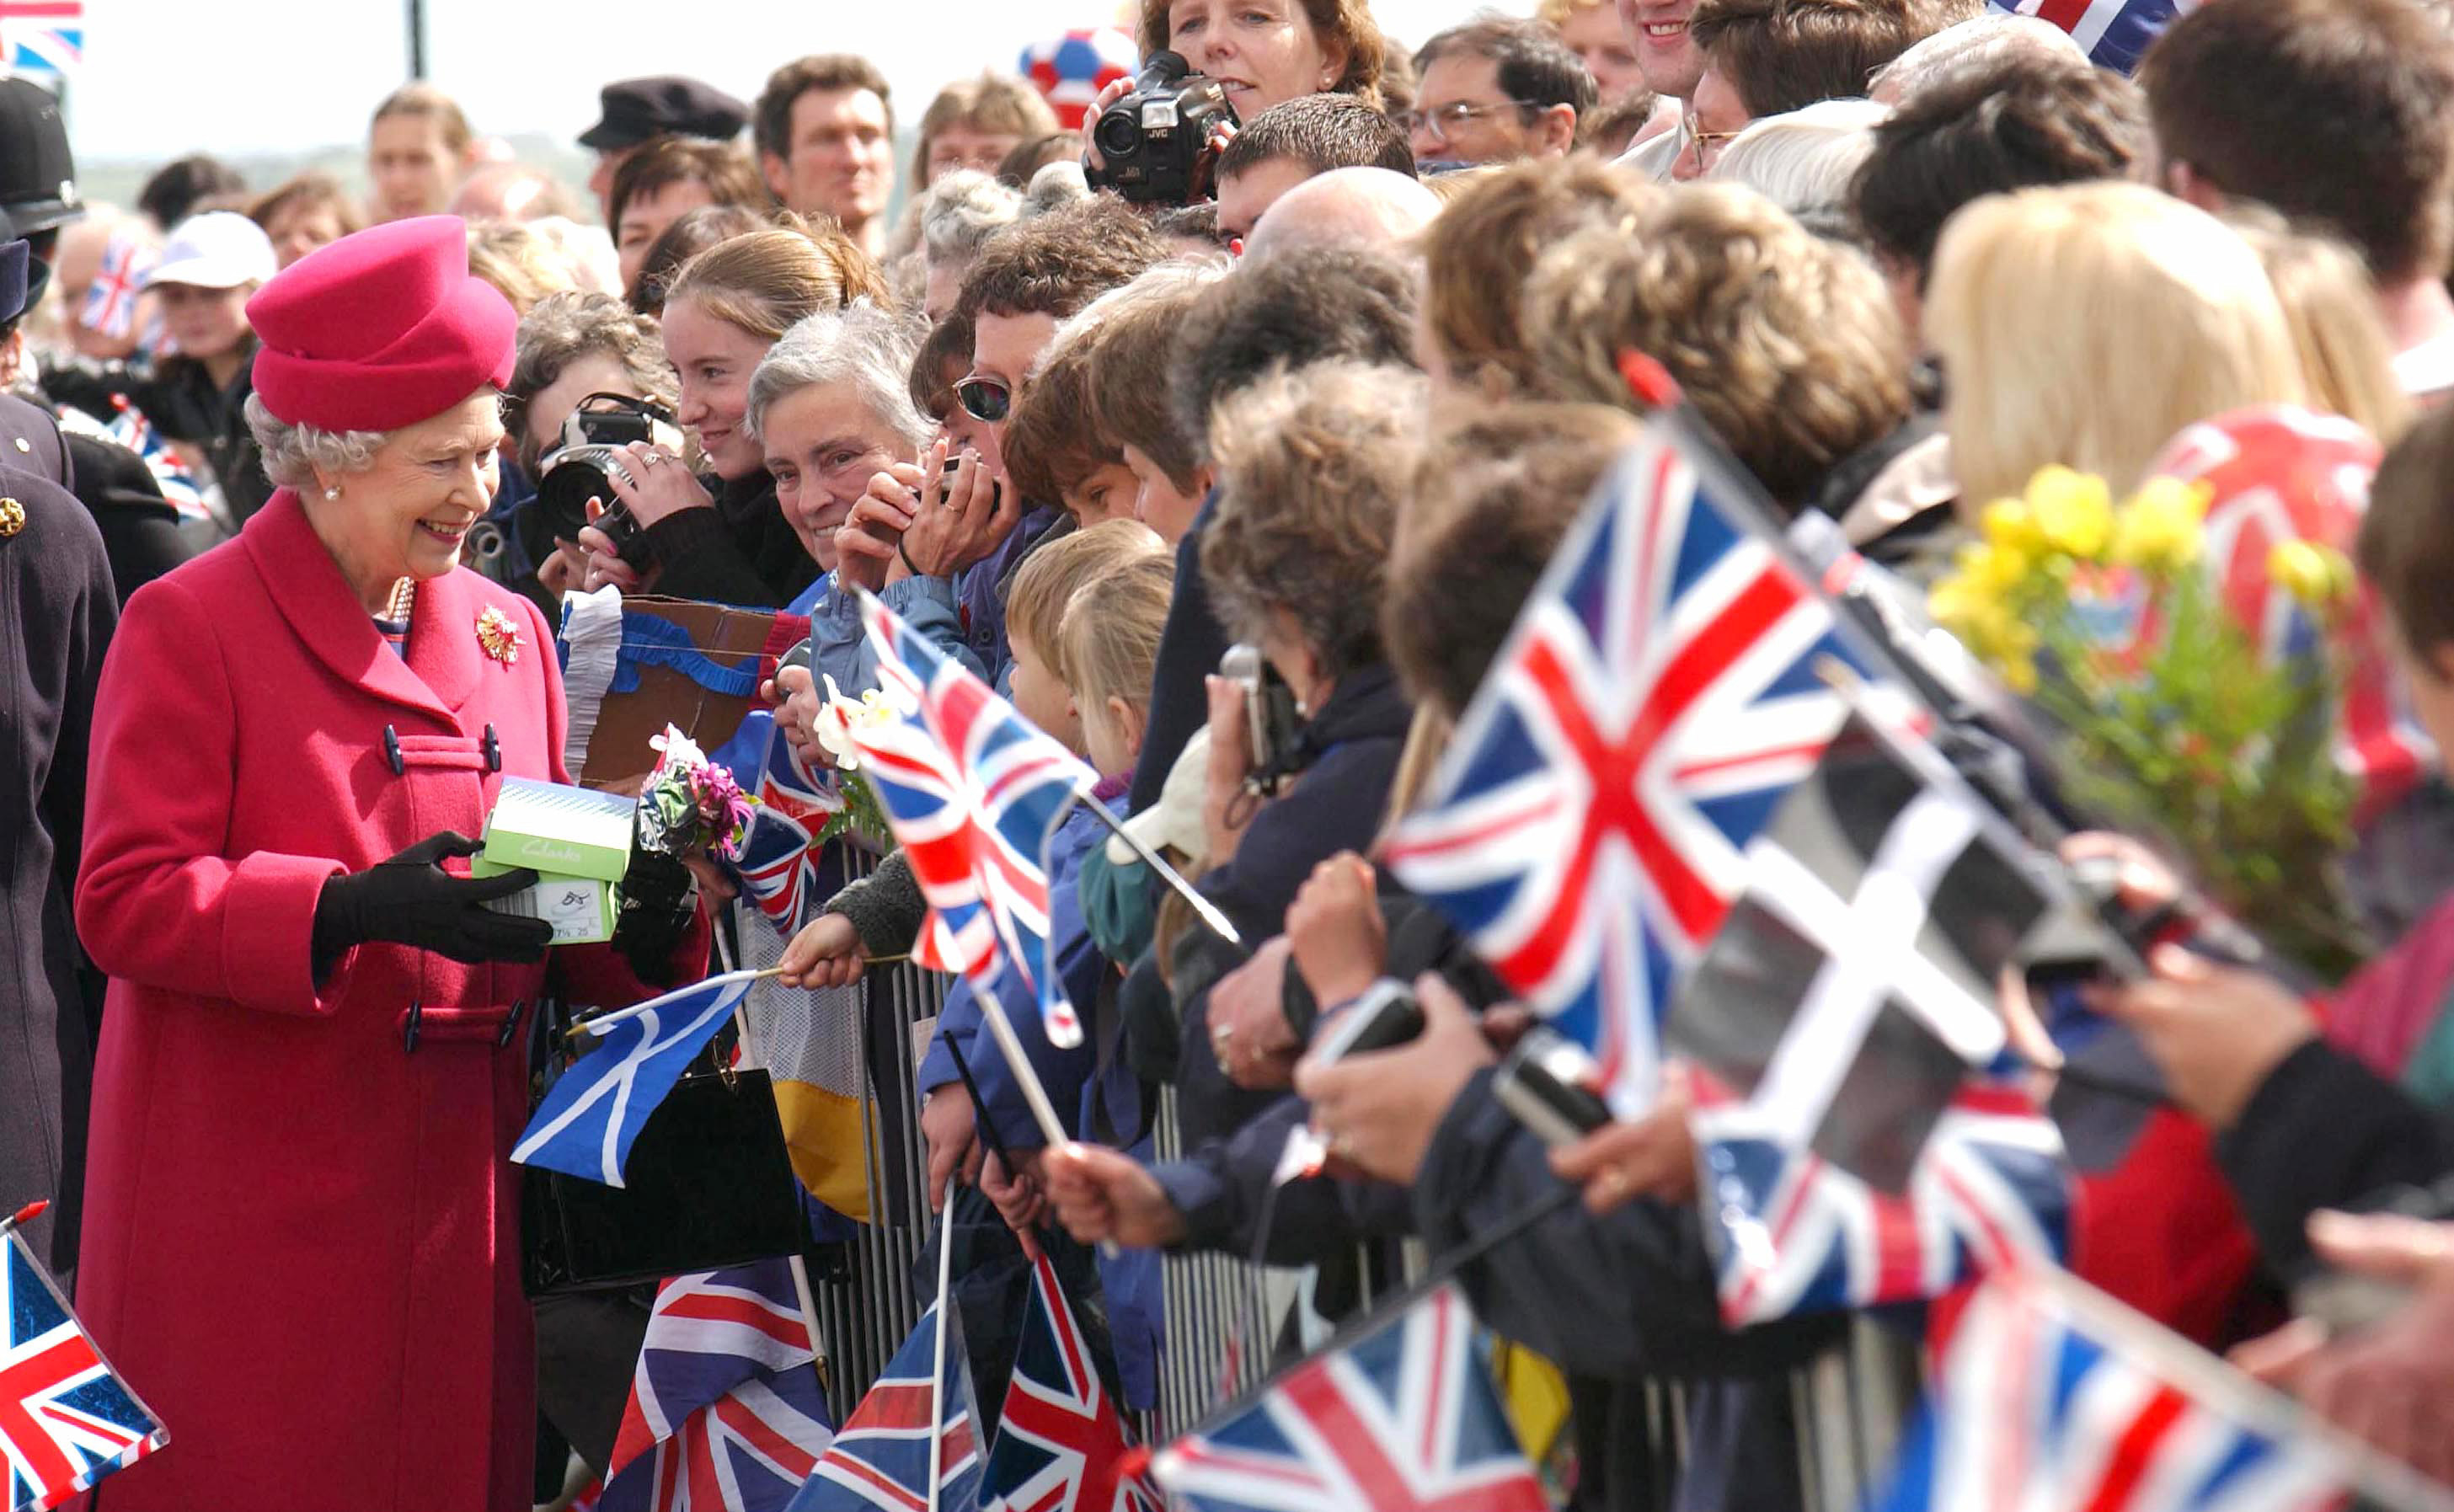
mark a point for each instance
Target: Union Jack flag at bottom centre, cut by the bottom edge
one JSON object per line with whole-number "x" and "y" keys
{"x": 1405, "y": 1420}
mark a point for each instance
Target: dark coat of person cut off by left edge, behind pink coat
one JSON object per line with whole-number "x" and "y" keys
{"x": 55, "y": 622}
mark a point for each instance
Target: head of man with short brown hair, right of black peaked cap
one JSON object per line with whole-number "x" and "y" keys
{"x": 826, "y": 131}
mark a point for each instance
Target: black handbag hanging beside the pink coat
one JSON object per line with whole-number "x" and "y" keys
{"x": 708, "y": 1187}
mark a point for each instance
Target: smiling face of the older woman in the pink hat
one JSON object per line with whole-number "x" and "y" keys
{"x": 413, "y": 507}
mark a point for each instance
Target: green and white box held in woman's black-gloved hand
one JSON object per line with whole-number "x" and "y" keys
{"x": 575, "y": 841}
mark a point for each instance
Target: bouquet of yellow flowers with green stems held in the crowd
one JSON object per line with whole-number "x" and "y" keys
{"x": 2175, "y": 718}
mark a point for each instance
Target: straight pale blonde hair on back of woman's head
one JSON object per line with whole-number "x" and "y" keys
{"x": 2087, "y": 325}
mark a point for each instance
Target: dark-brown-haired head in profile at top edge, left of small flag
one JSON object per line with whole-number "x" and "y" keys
{"x": 1768, "y": 58}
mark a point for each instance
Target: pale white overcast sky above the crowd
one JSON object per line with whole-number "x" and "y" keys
{"x": 168, "y": 77}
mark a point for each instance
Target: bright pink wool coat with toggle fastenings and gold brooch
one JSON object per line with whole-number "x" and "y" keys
{"x": 303, "y": 1238}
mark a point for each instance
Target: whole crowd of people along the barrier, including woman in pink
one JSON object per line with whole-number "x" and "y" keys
{"x": 288, "y": 558}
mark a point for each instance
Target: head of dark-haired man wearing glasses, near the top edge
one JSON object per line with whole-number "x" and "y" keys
{"x": 1498, "y": 92}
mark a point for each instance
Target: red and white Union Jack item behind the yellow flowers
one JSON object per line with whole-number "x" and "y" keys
{"x": 2286, "y": 475}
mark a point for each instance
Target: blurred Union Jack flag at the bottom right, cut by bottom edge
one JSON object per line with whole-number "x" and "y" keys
{"x": 2041, "y": 1410}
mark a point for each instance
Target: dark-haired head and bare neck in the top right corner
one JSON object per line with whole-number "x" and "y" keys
{"x": 2333, "y": 112}
